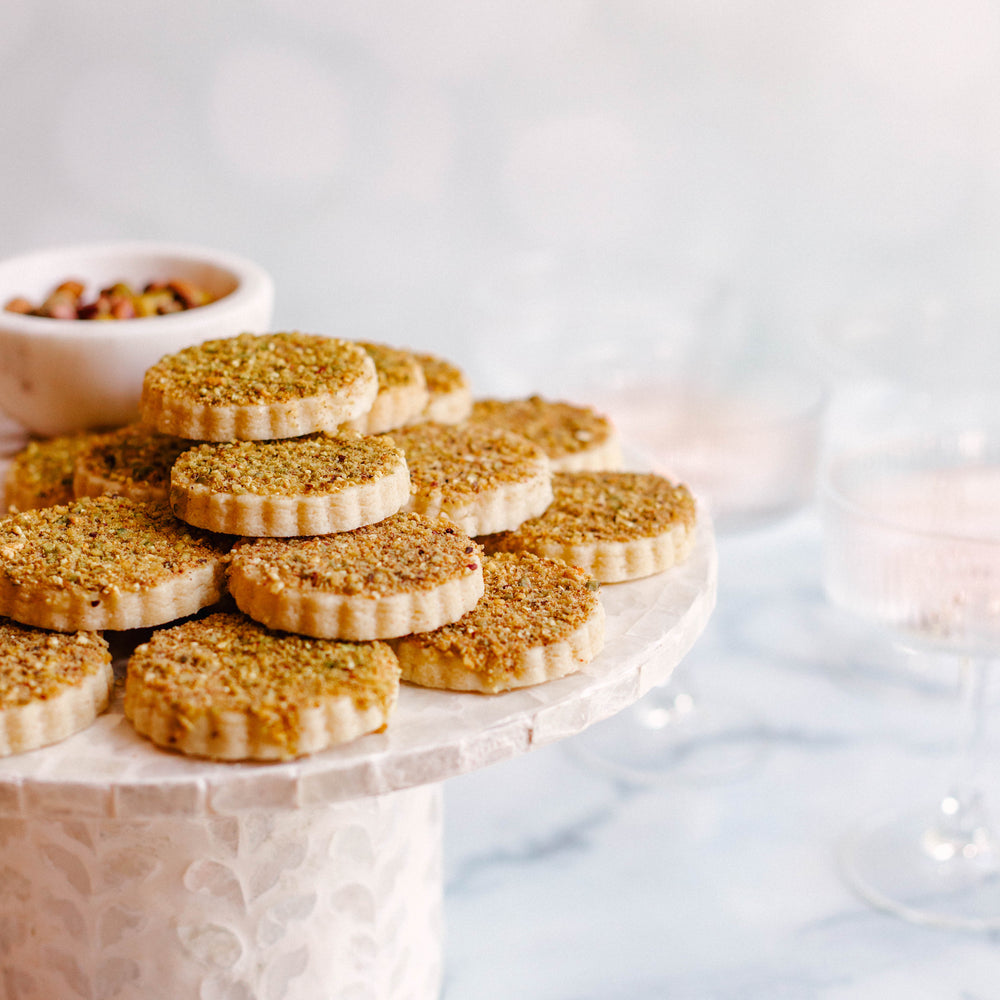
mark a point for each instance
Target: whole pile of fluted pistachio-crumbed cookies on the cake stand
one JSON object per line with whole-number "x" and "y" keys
{"x": 362, "y": 517}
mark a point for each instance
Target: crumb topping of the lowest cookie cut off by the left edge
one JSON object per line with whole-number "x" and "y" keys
{"x": 37, "y": 665}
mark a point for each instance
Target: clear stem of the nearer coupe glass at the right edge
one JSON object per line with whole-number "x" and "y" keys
{"x": 962, "y": 829}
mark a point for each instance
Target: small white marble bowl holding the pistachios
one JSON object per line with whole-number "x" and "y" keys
{"x": 61, "y": 375}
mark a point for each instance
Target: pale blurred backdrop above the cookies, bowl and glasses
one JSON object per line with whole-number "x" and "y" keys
{"x": 464, "y": 177}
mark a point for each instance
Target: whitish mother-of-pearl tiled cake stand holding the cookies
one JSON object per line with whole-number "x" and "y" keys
{"x": 130, "y": 872}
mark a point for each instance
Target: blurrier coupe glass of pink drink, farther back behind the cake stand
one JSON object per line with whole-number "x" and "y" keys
{"x": 744, "y": 435}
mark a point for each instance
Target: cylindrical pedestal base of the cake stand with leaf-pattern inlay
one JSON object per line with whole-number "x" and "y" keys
{"x": 341, "y": 902}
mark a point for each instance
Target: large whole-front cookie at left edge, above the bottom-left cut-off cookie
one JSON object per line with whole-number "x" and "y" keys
{"x": 105, "y": 563}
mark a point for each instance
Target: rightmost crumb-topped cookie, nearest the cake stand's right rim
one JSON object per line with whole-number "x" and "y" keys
{"x": 616, "y": 525}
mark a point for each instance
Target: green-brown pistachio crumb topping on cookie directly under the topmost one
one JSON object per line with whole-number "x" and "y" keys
{"x": 314, "y": 464}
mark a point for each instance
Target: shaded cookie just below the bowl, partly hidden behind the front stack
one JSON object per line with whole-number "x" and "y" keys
{"x": 132, "y": 461}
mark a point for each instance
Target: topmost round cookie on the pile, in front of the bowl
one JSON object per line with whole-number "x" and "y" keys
{"x": 255, "y": 387}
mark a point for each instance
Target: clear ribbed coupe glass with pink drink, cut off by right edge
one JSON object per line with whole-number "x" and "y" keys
{"x": 912, "y": 541}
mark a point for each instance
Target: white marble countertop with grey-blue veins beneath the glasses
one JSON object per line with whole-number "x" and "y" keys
{"x": 718, "y": 878}
